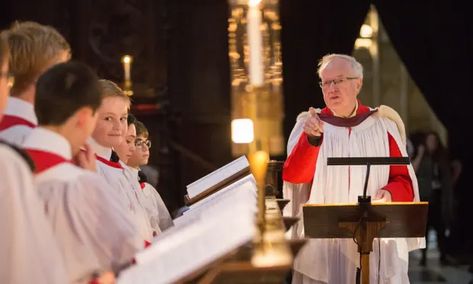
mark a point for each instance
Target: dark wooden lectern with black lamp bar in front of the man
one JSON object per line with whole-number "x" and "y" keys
{"x": 365, "y": 221}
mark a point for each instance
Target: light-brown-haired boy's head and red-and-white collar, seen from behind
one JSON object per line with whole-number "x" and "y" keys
{"x": 34, "y": 48}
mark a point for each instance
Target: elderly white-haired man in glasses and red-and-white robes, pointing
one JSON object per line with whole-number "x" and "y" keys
{"x": 346, "y": 128}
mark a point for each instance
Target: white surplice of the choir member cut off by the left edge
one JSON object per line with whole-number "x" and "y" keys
{"x": 29, "y": 252}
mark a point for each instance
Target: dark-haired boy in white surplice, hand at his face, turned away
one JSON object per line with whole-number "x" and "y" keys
{"x": 93, "y": 231}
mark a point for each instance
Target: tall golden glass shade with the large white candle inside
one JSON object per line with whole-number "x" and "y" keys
{"x": 256, "y": 71}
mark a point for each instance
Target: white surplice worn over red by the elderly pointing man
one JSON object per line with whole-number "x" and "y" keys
{"x": 317, "y": 259}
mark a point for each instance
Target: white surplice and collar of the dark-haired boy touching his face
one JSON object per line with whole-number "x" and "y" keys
{"x": 87, "y": 219}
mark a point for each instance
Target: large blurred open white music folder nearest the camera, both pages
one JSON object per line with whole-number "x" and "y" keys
{"x": 212, "y": 229}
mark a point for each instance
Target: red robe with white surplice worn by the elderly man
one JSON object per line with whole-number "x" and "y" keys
{"x": 307, "y": 179}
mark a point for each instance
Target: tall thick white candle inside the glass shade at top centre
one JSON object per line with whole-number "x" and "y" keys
{"x": 255, "y": 43}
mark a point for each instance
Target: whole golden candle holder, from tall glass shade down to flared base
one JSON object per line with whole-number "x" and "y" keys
{"x": 256, "y": 85}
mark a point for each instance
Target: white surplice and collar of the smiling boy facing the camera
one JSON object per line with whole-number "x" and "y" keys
{"x": 115, "y": 177}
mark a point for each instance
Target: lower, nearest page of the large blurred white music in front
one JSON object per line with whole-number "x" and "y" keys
{"x": 196, "y": 245}
